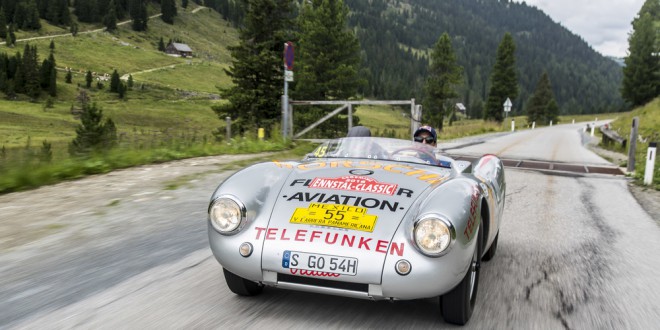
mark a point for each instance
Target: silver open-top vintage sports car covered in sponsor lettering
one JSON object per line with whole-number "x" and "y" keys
{"x": 361, "y": 217}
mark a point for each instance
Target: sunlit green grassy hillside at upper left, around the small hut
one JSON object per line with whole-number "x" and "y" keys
{"x": 171, "y": 96}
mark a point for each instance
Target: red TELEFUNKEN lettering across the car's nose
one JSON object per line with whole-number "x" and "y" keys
{"x": 330, "y": 239}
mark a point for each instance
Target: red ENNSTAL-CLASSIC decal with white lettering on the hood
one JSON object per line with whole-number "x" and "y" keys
{"x": 354, "y": 183}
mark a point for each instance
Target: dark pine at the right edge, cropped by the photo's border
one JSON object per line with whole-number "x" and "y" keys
{"x": 641, "y": 75}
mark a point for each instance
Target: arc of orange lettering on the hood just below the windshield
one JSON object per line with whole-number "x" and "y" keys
{"x": 419, "y": 174}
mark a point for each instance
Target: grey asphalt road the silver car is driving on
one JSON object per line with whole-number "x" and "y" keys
{"x": 121, "y": 251}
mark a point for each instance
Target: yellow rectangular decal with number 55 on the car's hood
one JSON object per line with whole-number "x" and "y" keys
{"x": 335, "y": 215}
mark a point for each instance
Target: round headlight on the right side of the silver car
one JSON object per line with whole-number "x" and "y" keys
{"x": 433, "y": 236}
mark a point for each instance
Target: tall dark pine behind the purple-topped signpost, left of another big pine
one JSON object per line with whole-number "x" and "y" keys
{"x": 256, "y": 68}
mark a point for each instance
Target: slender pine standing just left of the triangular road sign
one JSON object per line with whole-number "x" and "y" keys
{"x": 504, "y": 79}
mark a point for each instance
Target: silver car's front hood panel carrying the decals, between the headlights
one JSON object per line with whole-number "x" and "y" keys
{"x": 347, "y": 208}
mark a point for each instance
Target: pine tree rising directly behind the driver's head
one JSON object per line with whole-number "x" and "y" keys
{"x": 444, "y": 74}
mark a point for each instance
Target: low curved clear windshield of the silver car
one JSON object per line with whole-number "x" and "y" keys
{"x": 377, "y": 148}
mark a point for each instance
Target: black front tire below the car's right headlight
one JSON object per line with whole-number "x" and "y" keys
{"x": 457, "y": 305}
